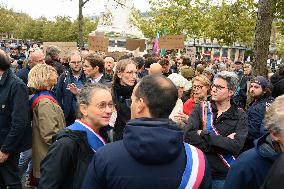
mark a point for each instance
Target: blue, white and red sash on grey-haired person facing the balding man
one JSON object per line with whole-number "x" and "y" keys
{"x": 95, "y": 140}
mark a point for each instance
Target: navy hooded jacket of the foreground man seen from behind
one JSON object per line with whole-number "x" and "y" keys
{"x": 150, "y": 155}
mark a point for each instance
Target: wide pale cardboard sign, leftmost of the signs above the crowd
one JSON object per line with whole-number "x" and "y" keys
{"x": 65, "y": 47}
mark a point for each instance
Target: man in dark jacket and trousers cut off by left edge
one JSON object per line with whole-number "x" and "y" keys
{"x": 14, "y": 124}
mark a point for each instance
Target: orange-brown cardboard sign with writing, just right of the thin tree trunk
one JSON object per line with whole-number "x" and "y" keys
{"x": 98, "y": 43}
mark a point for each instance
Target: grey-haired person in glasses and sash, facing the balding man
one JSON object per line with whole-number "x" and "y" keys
{"x": 68, "y": 158}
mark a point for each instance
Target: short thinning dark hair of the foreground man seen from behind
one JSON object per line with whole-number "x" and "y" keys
{"x": 149, "y": 88}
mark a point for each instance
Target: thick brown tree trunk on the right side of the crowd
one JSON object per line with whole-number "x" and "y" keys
{"x": 266, "y": 9}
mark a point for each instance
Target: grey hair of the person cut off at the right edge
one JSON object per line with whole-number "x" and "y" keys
{"x": 274, "y": 117}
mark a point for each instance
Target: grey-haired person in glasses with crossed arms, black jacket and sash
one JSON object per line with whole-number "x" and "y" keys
{"x": 218, "y": 127}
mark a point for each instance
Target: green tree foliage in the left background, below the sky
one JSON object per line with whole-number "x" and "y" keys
{"x": 62, "y": 28}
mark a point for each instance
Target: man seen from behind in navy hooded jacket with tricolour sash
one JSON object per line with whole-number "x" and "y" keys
{"x": 152, "y": 153}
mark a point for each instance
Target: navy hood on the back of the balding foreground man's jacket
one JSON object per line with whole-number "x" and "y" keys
{"x": 153, "y": 141}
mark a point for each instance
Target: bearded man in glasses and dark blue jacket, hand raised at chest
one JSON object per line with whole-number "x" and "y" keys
{"x": 68, "y": 86}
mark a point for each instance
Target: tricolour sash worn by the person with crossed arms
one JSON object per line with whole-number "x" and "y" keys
{"x": 206, "y": 107}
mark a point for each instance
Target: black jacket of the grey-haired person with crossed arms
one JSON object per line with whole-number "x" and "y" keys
{"x": 231, "y": 121}
